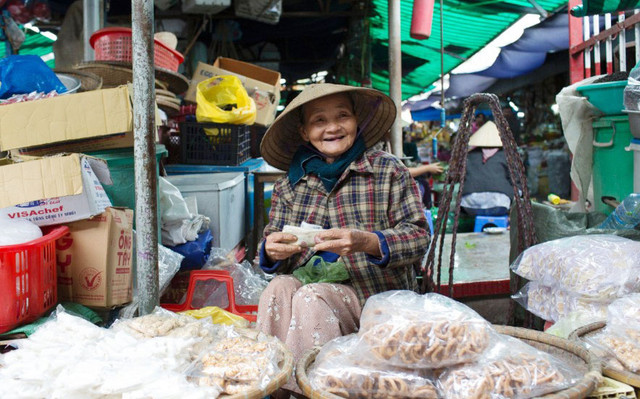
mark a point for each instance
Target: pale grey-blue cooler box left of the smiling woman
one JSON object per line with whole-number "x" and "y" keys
{"x": 221, "y": 197}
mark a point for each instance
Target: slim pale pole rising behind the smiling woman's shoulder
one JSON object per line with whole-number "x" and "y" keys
{"x": 395, "y": 74}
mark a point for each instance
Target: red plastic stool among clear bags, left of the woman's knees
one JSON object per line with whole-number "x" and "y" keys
{"x": 249, "y": 312}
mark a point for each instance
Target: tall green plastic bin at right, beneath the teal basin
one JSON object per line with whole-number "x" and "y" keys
{"x": 612, "y": 164}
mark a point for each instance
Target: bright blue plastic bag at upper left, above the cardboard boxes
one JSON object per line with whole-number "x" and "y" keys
{"x": 22, "y": 74}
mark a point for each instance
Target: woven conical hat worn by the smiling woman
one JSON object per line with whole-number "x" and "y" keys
{"x": 374, "y": 111}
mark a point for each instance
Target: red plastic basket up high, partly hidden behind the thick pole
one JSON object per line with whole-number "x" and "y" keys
{"x": 114, "y": 44}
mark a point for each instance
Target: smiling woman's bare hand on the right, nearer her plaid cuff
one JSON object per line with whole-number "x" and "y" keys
{"x": 348, "y": 241}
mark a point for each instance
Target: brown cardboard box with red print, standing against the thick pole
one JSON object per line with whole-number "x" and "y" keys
{"x": 94, "y": 260}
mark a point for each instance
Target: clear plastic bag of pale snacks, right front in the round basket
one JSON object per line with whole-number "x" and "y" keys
{"x": 509, "y": 369}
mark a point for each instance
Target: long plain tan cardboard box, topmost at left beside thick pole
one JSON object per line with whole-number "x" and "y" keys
{"x": 82, "y": 119}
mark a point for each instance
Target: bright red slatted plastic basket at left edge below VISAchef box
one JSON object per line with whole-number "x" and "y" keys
{"x": 28, "y": 279}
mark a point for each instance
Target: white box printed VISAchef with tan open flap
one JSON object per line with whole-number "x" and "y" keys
{"x": 54, "y": 190}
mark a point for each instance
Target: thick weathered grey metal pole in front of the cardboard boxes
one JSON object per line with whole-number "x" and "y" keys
{"x": 144, "y": 153}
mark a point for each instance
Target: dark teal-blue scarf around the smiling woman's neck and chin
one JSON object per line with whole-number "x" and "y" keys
{"x": 308, "y": 160}
